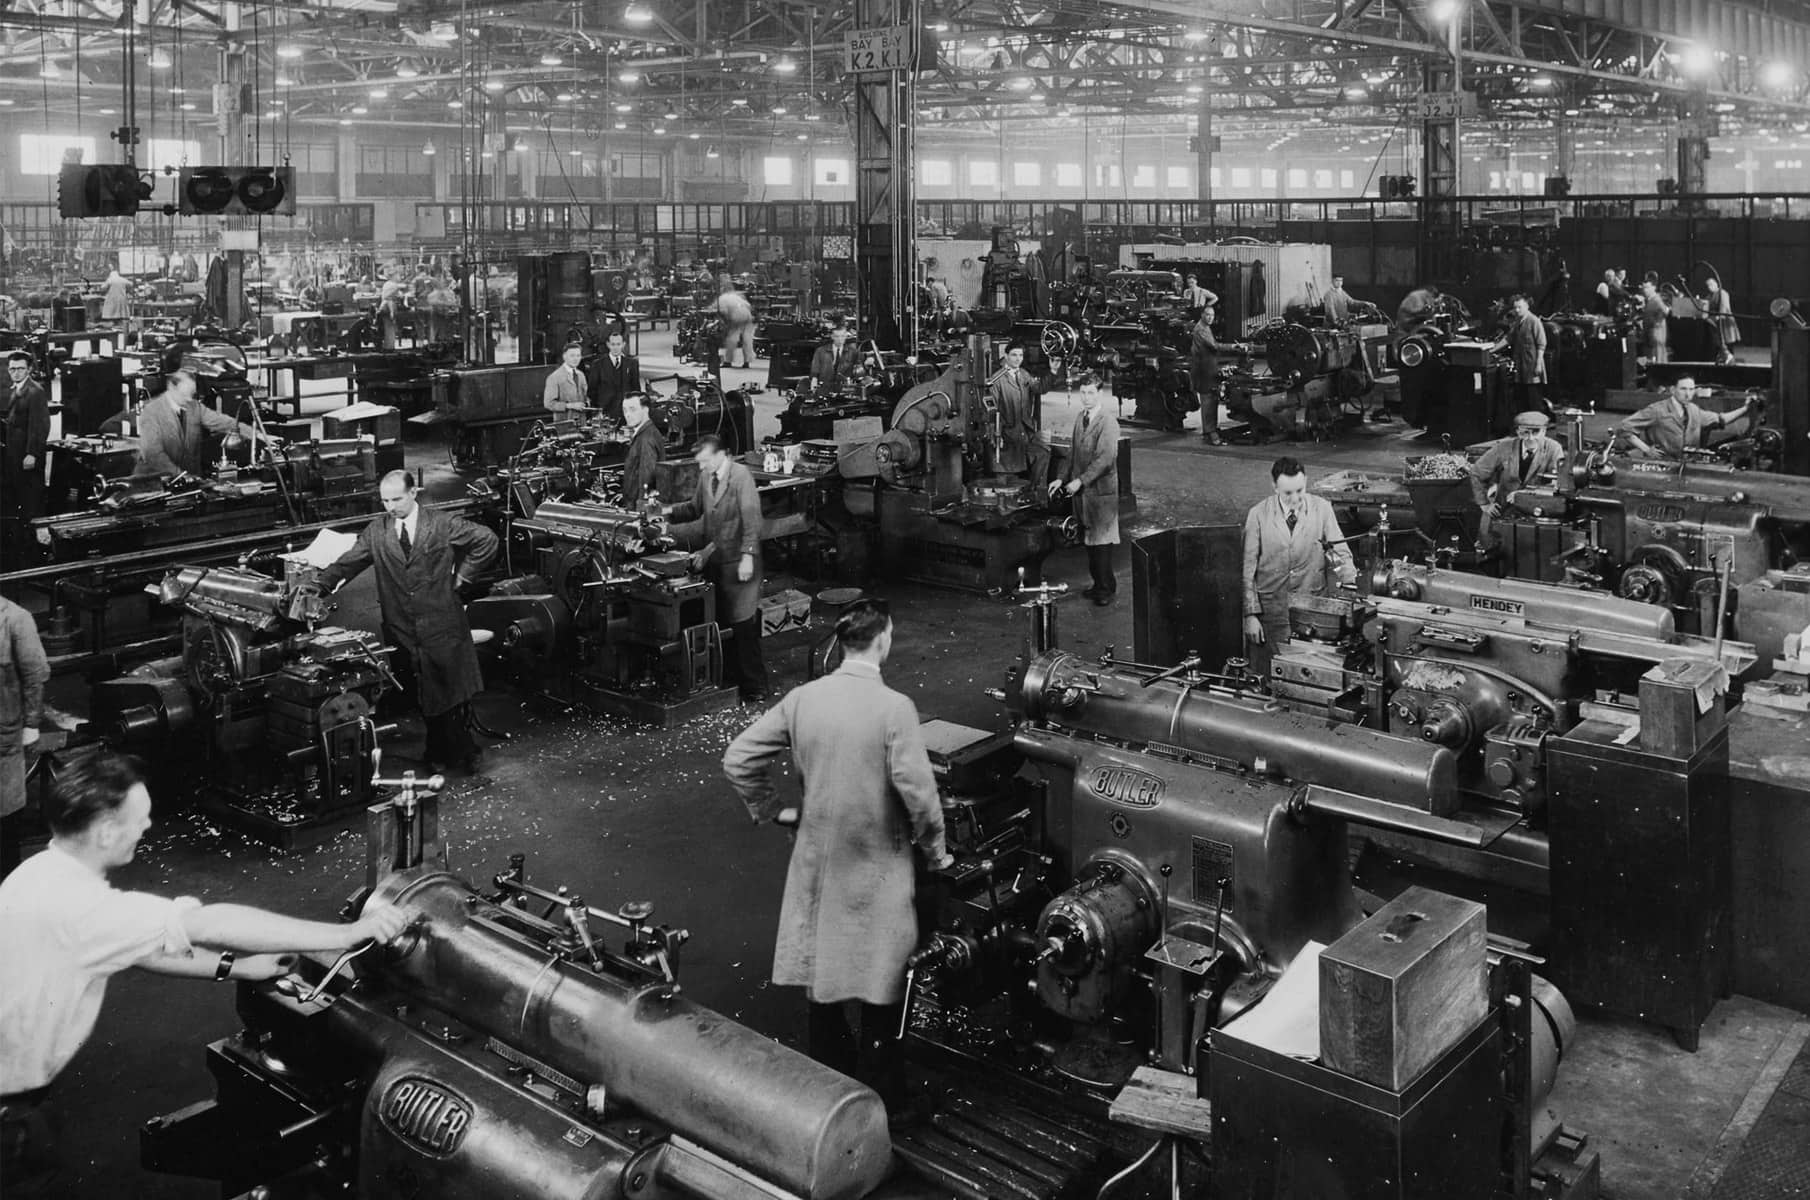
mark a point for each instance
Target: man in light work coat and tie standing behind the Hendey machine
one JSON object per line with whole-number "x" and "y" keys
{"x": 1286, "y": 557}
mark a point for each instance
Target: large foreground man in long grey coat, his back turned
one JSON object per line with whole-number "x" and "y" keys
{"x": 848, "y": 920}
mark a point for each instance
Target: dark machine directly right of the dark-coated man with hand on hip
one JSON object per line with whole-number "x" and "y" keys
{"x": 605, "y": 614}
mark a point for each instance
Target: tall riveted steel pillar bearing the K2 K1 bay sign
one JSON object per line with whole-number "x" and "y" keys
{"x": 886, "y": 234}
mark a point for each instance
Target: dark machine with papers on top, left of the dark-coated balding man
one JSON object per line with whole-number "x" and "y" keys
{"x": 269, "y": 716}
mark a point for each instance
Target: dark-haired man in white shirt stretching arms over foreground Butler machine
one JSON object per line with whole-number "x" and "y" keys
{"x": 64, "y": 931}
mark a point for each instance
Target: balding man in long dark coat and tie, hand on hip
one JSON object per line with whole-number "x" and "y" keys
{"x": 428, "y": 564}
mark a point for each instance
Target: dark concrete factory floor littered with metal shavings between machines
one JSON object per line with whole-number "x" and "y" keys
{"x": 620, "y": 814}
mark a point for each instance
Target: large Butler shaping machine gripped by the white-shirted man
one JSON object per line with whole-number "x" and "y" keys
{"x": 502, "y": 1052}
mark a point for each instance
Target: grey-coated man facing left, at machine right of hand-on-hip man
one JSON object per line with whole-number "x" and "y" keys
{"x": 721, "y": 526}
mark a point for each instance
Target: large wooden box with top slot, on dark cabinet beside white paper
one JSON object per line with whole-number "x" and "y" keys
{"x": 1404, "y": 987}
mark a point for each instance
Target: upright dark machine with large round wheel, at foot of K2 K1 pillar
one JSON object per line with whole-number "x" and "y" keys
{"x": 933, "y": 486}
